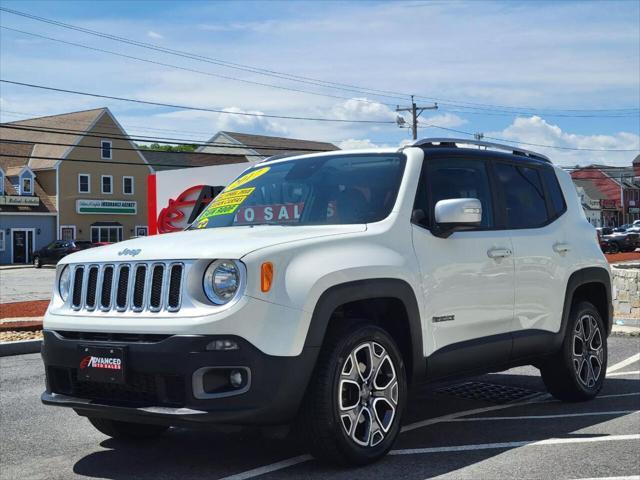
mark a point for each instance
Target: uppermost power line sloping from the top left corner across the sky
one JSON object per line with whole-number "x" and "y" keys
{"x": 296, "y": 78}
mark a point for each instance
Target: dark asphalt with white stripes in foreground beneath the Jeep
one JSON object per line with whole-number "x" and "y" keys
{"x": 498, "y": 426}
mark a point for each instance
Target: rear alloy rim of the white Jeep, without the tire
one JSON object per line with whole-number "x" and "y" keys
{"x": 588, "y": 350}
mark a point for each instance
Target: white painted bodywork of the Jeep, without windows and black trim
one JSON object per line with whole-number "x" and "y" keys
{"x": 452, "y": 276}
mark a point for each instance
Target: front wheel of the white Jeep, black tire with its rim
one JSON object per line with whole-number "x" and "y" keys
{"x": 328, "y": 430}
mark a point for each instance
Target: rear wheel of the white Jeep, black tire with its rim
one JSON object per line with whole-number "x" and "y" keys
{"x": 572, "y": 374}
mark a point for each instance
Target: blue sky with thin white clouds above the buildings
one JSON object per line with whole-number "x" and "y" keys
{"x": 537, "y": 58}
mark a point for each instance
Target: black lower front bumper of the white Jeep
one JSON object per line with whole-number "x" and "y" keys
{"x": 159, "y": 386}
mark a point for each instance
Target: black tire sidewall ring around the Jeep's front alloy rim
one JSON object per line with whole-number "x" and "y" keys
{"x": 355, "y": 453}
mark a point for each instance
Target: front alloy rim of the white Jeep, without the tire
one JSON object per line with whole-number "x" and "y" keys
{"x": 368, "y": 394}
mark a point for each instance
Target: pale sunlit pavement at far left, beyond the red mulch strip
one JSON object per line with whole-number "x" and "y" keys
{"x": 26, "y": 284}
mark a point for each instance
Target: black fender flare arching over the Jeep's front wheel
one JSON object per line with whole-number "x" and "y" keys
{"x": 343, "y": 293}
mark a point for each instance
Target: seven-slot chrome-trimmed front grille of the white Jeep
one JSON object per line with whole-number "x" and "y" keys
{"x": 136, "y": 287}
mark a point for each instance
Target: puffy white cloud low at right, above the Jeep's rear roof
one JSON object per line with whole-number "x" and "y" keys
{"x": 536, "y": 130}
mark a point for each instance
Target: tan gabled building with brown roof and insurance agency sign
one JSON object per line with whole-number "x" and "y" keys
{"x": 87, "y": 163}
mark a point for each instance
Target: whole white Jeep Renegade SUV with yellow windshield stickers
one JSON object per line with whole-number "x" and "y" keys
{"x": 317, "y": 289}
